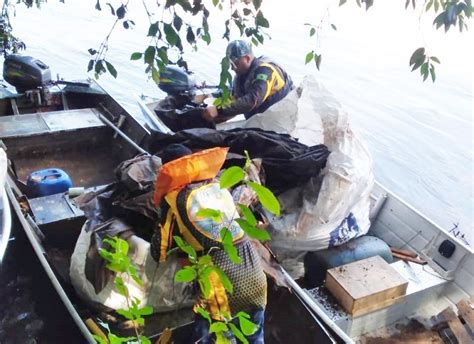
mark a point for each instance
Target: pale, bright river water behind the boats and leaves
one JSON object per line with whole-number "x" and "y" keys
{"x": 420, "y": 134}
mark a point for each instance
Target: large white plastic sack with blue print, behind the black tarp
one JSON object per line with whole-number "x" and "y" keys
{"x": 320, "y": 215}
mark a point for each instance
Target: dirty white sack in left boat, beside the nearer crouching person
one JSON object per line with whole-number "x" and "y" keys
{"x": 158, "y": 289}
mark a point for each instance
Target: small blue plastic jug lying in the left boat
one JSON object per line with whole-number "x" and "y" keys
{"x": 48, "y": 182}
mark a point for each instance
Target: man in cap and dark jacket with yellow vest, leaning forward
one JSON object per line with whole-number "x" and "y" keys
{"x": 259, "y": 83}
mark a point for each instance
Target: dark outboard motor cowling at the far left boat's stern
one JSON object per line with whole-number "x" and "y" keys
{"x": 25, "y": 72}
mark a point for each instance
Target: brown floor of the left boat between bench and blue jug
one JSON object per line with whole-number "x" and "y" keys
{"x": 86, "y": 168}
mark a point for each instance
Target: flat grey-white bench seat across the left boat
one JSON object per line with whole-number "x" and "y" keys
{"x": 49, "y": 122}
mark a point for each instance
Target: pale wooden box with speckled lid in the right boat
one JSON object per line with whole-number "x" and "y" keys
{"x": 365, "y": 285}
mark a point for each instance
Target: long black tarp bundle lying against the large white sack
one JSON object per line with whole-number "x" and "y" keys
{"x": 287, "y": 163}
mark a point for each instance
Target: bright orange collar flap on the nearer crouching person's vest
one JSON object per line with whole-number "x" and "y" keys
{"x": 192, "y": 168}
